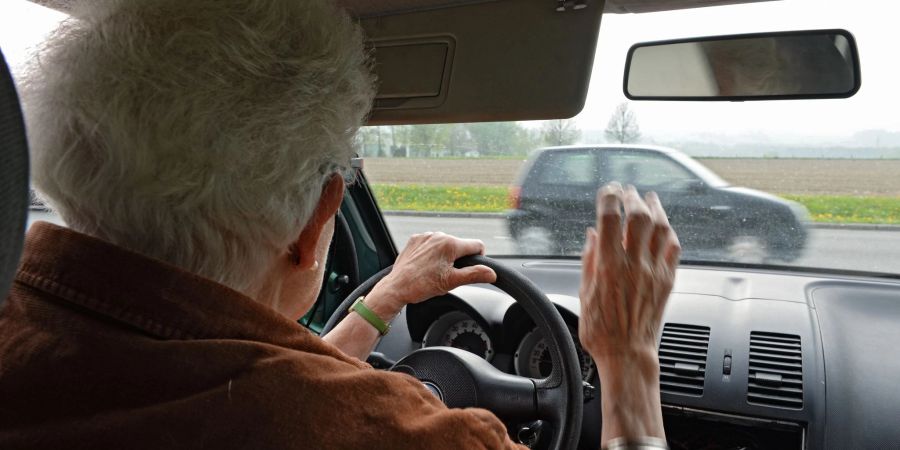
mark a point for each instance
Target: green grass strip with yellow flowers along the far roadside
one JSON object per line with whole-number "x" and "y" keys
{"x": 822, "y": 208}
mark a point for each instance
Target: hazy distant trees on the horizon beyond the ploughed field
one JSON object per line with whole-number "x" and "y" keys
{"x": 490, "y": 139}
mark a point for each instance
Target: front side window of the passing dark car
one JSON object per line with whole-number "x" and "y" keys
{"x": 647, "y": 171}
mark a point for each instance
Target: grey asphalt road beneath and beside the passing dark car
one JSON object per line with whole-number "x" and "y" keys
{"x": 864, "y": 250}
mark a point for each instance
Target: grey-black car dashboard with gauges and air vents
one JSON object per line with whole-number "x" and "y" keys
{"x": 744, "y": 353}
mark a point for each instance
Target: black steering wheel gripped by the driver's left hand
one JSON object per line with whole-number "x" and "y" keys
{"x": 462, "y": 379}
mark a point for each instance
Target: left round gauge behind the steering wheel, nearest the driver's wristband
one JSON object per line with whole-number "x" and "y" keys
{"x": 456, "y": 329}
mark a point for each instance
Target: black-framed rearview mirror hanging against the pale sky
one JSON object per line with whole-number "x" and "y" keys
{"x": 764, "y": 66}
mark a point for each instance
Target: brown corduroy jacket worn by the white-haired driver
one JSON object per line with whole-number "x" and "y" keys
{"x": 102, "y": 348}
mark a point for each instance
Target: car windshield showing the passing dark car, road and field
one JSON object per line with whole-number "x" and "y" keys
{"x": 807, "y": 183}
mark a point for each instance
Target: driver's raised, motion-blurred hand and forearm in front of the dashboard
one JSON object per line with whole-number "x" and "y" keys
{"x": 626, "y": 279}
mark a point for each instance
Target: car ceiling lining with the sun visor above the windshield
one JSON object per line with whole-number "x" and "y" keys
{"x": 442, "y": 61}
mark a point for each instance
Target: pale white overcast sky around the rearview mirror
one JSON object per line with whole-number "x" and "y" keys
{"x": 23, "y": 24}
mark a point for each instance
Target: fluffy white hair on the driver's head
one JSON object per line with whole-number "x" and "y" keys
{"x": 197, "y": 132}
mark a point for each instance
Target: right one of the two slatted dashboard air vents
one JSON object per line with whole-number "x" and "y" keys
{"x": 776, "y": 370}
